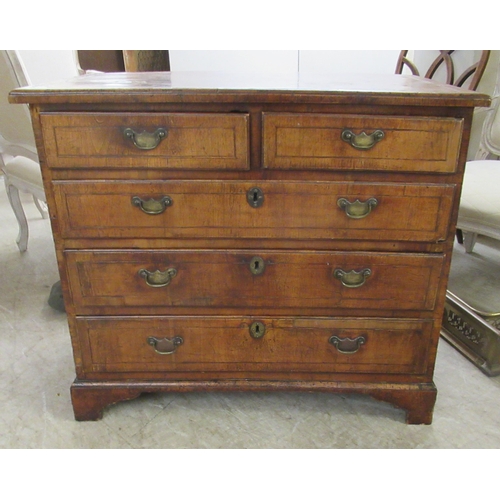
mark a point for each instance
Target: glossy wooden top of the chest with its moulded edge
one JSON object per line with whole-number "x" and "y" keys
{"x": 252, "y": 87}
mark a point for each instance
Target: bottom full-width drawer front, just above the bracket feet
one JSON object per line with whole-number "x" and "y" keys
{"x": 231, "y": 344}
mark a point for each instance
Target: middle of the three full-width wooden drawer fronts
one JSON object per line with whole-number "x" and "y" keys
{"x": 223, "y": 280}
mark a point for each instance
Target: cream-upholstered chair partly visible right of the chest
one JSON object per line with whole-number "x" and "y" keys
{"x": 479, "y": 211}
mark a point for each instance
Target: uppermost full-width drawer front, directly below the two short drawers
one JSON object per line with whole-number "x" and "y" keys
{"x": 289, "y": 210}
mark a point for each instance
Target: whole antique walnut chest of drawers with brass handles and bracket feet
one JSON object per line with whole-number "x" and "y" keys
{"x": 252, "y": 233}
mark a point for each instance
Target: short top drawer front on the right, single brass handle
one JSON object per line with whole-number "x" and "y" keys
{"x": 336, "y": 142}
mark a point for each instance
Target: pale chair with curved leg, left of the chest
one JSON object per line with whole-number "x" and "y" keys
{"x": 18, "y": 156}
